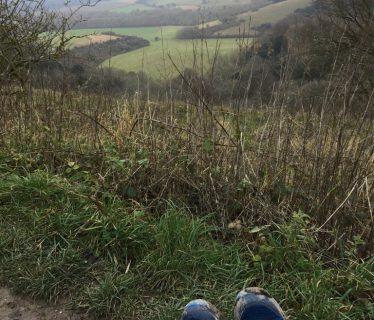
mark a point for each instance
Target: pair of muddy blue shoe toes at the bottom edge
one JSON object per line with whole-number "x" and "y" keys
{"x": 250, "y": 304}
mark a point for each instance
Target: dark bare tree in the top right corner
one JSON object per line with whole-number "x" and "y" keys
{"x": 348, "y": 33}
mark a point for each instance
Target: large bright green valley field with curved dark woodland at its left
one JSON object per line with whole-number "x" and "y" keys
{"x": 155, "y": 59}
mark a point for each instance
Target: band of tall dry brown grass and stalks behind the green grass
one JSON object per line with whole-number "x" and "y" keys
{"x": 255, "y": 165}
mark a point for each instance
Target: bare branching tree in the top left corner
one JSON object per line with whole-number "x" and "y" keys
{"x": 29, "y": 34}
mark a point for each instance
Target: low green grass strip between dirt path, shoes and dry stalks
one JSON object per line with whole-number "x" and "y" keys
{"x": 113, "y": 259}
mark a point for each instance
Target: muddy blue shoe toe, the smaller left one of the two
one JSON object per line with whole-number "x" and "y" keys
{"x": 200, "y": 310}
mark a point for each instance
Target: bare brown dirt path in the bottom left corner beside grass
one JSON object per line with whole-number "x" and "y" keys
{"x": 19, "y": 308}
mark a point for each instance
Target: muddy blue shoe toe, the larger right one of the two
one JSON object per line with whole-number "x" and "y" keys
{"x": 257, "y": 304}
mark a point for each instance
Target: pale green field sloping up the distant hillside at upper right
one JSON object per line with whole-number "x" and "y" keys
{"x": 269, "y": 14}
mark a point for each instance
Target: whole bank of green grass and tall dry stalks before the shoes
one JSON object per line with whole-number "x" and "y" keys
{"x": 128, "y": 208}
